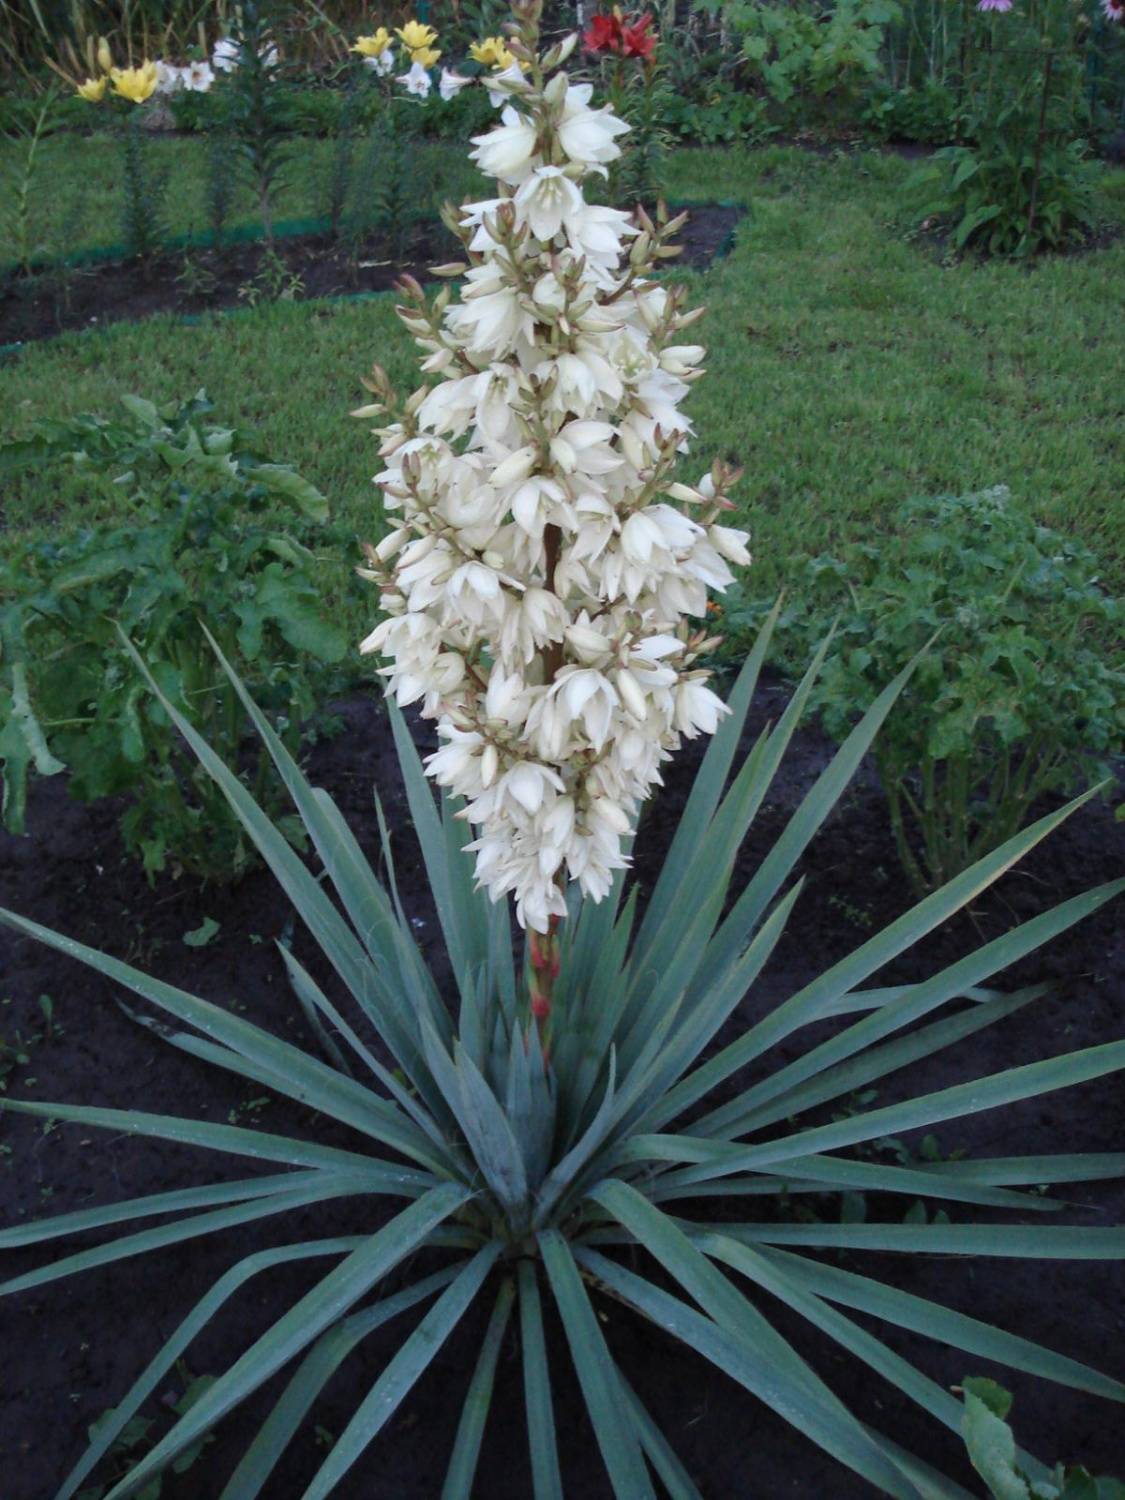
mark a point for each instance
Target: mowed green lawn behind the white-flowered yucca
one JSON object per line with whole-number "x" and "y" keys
{"x": 848, "y": 368}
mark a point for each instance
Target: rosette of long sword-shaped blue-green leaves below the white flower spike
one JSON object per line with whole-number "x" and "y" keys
{"x": 577, "y": 1159}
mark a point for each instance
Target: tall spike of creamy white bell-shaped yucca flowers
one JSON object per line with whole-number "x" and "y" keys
{"x": 545, "y": 569}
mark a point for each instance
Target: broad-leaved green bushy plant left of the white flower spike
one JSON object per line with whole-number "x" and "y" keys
{"x": 203, "y": 538}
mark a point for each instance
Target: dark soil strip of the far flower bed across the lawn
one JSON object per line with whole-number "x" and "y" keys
{"x": 206, "y": 281}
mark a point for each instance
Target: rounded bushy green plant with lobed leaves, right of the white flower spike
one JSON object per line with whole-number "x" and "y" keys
{"x": 1019, "y": 694}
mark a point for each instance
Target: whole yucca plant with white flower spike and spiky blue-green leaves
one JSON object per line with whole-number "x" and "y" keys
{"x": 550, "y": 1121}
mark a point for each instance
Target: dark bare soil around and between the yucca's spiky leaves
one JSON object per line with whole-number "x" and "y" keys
{"x": 73, "y": 1349}
